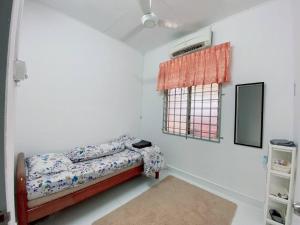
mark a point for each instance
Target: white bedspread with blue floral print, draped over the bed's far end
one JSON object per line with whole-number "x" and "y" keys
{"x": 82, "y": 172}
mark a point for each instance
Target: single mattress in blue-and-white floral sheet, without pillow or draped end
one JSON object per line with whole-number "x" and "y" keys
{"x": 81, "y": 173}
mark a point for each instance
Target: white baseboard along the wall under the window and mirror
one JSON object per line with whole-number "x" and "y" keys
{"x": 211, "y": 186}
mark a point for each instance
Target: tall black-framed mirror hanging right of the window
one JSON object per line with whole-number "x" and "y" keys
{"x": 249, "y": 112}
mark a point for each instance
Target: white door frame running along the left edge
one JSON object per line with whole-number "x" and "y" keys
{"x": 9, "y": 123}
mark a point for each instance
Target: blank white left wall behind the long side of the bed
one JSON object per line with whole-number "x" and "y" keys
{"x": 83, "y": 86}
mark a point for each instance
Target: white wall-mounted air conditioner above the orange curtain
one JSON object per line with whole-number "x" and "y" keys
{"x": 192, "y": 43}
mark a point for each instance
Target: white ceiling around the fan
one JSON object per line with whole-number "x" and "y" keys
{"x": 118, "y": 18}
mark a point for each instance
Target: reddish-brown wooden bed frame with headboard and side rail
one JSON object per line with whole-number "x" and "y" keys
{"x": 27, "y": 215}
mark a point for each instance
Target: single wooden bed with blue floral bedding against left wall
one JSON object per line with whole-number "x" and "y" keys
{"x": 42, "y": 195}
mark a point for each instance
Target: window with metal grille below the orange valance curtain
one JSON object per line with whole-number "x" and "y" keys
{"x": 193, "y": 112}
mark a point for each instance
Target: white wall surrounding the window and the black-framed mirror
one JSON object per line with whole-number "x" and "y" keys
{"x": 262, "y": 51}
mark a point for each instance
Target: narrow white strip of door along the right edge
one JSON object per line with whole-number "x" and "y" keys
{"x": 296, "y": 19}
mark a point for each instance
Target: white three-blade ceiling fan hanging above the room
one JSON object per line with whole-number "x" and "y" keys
{"x": 150, "y": 20}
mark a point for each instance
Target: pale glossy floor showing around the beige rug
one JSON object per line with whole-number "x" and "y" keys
{"x": 89, "y": 211}
